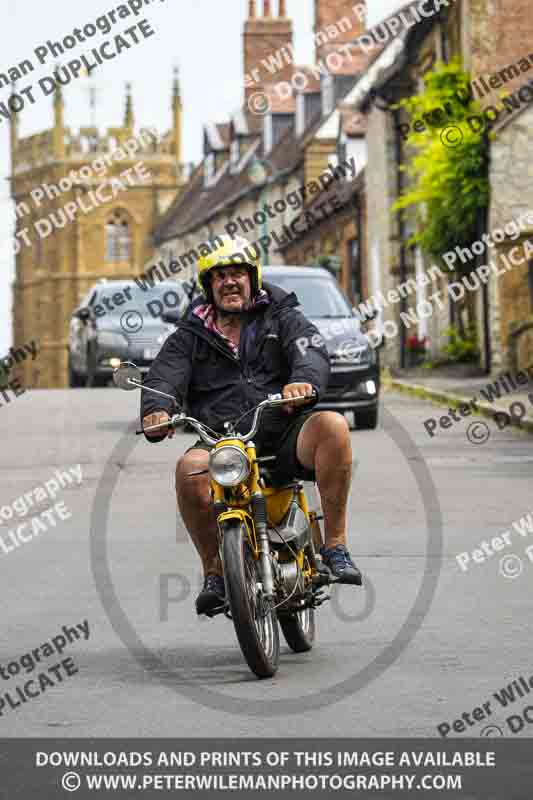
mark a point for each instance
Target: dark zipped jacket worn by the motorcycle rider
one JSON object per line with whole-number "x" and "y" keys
{"x": 199, "y": 369}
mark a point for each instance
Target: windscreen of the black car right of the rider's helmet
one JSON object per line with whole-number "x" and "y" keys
{"x": 319, "y": 297}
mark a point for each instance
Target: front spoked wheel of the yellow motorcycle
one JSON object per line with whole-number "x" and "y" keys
{"x": 255, "y": 622}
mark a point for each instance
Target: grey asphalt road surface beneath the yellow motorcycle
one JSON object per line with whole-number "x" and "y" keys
{"x": 424, "y": 643}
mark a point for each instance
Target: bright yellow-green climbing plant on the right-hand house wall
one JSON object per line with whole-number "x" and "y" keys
{"x": 449, "y": 184}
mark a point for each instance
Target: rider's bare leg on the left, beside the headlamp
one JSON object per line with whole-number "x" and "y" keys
{"x": 196, "y": 509}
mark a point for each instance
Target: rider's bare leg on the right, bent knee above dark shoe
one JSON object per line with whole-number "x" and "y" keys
{"x": 324, "y": 445}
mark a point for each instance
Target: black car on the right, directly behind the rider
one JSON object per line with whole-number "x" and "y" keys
{"x": 355, "y": 375}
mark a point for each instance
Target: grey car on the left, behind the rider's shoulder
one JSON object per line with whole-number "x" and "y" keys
{"x": 120, "y": 321}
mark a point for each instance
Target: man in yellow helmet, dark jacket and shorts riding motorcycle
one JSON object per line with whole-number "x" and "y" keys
{"x": 236, "y": 345}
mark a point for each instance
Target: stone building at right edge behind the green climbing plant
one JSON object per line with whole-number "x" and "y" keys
{"x": 491, "y": 41}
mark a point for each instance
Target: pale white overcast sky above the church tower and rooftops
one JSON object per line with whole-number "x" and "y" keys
{"x": 203, "y": 38}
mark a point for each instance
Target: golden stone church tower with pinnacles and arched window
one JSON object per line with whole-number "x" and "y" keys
{"x": 104, "y": 232}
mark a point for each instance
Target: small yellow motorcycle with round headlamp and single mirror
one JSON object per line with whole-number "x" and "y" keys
{"x": 268, "y": 538}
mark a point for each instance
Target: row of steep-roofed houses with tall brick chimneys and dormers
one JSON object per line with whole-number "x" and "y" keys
{"x": 269, "y": 150}
